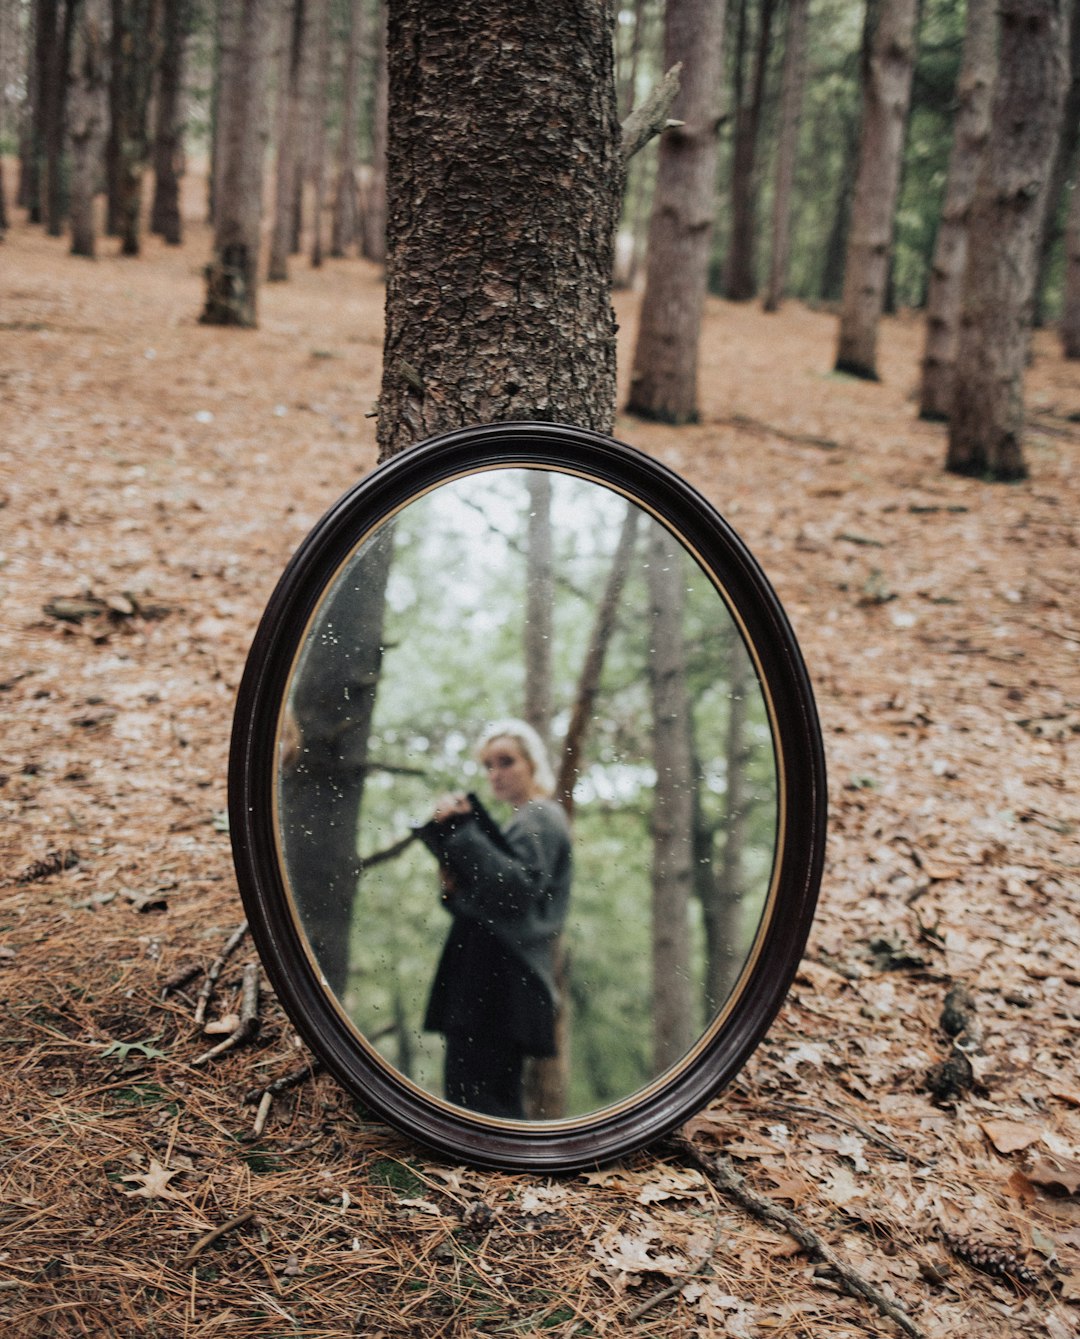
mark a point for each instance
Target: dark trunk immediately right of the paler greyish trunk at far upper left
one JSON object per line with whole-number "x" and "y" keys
{"x": 136, "y": 53}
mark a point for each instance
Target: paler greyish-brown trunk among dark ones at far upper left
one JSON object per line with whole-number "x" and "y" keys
{"x": 89, "y": 114}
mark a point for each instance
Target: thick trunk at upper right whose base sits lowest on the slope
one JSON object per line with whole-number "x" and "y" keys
{"x": 987, "y": 418}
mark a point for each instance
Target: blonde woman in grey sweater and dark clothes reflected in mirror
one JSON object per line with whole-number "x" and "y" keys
{"x": 494, "y": 993}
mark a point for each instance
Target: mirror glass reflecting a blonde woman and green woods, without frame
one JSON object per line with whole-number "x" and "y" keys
{"x": 540, "y": 597}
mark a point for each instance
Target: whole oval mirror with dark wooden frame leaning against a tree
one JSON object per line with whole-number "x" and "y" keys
{"x": 528, "y": 796}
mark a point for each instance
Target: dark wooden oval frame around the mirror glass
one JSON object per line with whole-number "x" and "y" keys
{"x": 726, "y": 1046}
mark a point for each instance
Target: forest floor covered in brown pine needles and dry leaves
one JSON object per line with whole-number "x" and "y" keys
{"x": 161, "y": 473}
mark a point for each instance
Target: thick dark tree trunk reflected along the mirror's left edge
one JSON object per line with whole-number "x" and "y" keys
{"x": 326, "y": 760}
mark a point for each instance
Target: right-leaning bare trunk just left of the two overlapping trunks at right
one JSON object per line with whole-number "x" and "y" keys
{"x": 887, "y": 88}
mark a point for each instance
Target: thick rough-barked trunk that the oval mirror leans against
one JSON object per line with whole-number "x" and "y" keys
{"x": 504, "y": 187}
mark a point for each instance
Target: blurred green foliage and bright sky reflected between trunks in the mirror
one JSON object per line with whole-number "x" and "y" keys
{"x": 454, "y": 635}
